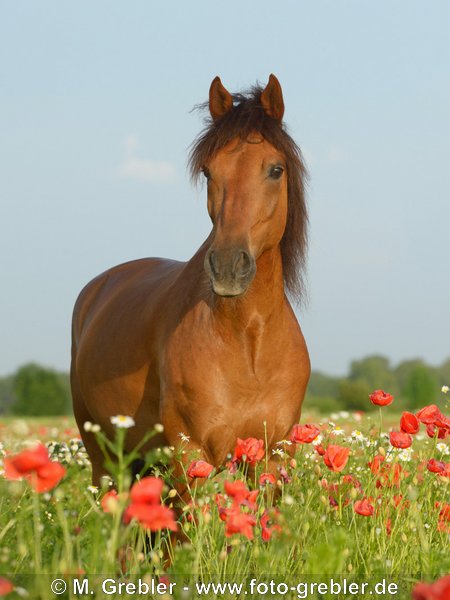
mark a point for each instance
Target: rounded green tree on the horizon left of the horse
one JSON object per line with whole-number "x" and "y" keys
{"x": 39, "y": 391}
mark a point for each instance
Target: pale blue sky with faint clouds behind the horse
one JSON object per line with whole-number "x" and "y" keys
{"x": 95, "y": 124}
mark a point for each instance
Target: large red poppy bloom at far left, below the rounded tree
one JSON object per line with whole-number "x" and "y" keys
{"x": 35, "y": 466}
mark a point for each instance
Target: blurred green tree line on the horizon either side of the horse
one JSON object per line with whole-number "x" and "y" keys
{"x": 34, "y": 390}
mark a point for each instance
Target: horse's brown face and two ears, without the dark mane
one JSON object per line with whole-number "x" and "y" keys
{"x": 247, "y": 195}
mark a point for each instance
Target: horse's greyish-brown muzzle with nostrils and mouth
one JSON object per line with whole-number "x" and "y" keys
{"x": 230, "y": 270}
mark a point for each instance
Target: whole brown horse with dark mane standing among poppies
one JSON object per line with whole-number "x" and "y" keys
{"x": 211, "y": 347}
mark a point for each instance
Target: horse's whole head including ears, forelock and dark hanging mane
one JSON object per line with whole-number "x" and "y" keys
{"x": 255, "y": 190}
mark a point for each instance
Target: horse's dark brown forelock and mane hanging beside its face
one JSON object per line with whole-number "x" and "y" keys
{"x": 247, "y": 116}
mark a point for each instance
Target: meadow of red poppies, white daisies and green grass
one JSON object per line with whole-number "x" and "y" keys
{"x": 360, "y": 497}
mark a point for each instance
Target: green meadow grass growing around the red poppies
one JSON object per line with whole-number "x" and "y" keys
{"x": 65, "y": 532}
